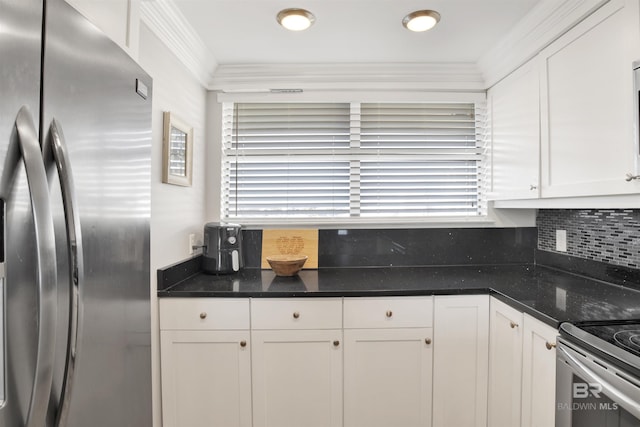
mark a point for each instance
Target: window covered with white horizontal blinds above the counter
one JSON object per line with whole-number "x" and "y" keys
{"x": 352, "y": 160}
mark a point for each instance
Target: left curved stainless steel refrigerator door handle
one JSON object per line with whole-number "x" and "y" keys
{"x": 24, "y": 144}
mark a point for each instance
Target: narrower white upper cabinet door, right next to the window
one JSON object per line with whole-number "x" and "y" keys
{"x": 514, "y": 105}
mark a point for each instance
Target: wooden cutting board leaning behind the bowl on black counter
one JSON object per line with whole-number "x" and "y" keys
{"x": 290, "y": 242}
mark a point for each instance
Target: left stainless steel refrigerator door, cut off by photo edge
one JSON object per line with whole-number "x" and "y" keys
{"x": 22, "y": 390}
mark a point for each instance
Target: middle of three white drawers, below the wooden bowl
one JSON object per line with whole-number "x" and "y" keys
{"x": 292, "y": 313}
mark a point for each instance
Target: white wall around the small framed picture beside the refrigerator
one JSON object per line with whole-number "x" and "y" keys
{"x": 176, "y": 211}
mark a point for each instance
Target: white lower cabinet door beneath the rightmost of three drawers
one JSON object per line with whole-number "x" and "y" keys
{"x": 387, "y": 377}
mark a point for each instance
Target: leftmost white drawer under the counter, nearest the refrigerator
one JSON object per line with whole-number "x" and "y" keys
{"x": 204, "y": 313}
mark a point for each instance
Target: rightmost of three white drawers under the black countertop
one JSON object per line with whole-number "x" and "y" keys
{"x": 396, "y": 312}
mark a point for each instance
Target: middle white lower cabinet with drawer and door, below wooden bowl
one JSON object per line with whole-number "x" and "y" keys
{"x": 297, "y": 368}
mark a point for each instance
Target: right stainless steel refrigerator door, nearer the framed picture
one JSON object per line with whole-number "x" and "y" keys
{"x": 89, "y": 90}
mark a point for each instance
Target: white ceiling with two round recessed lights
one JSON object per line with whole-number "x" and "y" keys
{"x": 246, "y": 31}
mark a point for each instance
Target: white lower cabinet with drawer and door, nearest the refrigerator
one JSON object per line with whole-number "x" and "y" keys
{"x": 205, "y": 362}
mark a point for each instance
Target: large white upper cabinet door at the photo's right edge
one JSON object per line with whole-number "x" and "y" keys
{"x": 587, "y": 98}
